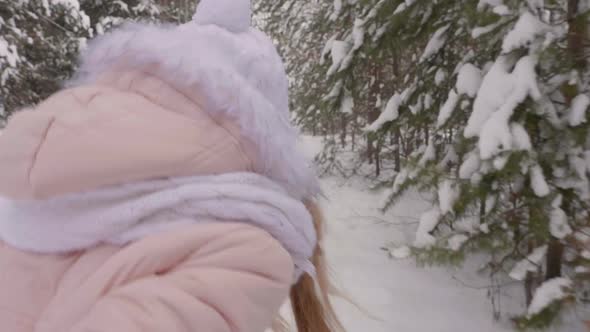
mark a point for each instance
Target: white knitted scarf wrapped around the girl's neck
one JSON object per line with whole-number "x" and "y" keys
{"x": 127, "y": 213}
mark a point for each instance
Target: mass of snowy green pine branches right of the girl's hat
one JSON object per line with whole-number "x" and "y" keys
{"x": 480, "y": 103}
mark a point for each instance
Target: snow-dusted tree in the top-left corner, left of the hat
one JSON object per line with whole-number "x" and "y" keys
{"x": 39, "y": 40}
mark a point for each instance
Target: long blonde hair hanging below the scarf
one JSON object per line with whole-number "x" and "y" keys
{"x": 310, "y": 299}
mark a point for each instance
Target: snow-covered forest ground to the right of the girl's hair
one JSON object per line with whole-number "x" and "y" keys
{"x": 398, "y": 294}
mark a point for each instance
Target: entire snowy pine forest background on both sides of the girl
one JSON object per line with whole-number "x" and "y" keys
{"x": 479, "y": 105}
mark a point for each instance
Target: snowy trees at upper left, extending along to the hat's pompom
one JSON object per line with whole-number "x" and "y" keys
{"x": 40, "y": 40}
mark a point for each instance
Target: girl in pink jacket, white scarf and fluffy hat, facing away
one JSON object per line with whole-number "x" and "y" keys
{"x": 162, "y": 191}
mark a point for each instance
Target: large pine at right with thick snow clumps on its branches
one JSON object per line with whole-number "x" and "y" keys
{"x": 508, "y": 160}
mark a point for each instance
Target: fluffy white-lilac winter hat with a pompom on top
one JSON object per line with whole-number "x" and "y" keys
{"x": 236, "y": 68}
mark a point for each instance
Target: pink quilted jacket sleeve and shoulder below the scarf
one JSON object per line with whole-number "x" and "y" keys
{"x": 227, "y": 278}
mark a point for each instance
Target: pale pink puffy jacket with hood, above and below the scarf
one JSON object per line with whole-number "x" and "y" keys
{"x": 130, "y": 127}
